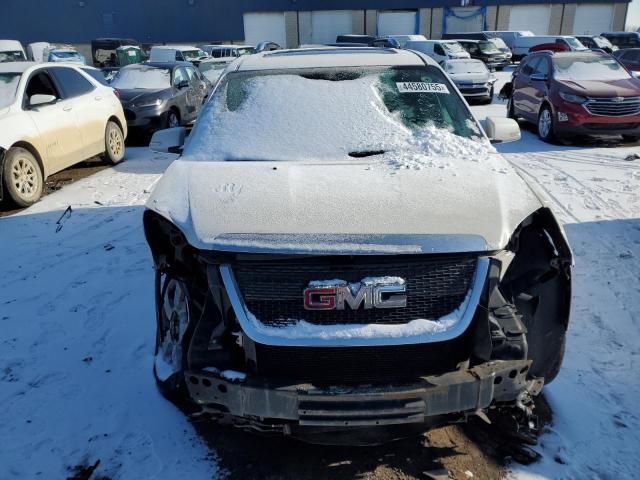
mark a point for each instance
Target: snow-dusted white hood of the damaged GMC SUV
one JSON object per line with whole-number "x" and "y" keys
{"x": 240, "y": 205}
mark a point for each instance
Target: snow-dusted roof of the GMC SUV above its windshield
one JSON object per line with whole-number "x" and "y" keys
{"x": 329, "y": 57}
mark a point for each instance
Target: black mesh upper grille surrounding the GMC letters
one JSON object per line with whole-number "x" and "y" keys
{"x": 436, "y": 286}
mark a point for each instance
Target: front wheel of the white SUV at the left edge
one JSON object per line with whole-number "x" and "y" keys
{"x": 22, "y": 177}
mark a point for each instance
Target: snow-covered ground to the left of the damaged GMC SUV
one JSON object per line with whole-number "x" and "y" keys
{"x": 77, "y": 346}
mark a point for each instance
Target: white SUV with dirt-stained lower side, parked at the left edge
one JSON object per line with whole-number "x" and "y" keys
{"x": 53, "y": 116}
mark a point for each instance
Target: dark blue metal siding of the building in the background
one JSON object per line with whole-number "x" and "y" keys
{"x": 174, "y": 20}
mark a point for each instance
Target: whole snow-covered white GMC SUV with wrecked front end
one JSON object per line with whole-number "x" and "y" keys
{"x": 340, "y": 248}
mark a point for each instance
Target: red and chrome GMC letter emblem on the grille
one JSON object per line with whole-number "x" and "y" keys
{"x": 365, "y": 295}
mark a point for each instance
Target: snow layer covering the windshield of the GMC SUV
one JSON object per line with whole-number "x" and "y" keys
{"x": 288, "y": 117}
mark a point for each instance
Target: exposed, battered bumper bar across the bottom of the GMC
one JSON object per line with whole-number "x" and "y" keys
{"x": 281, "y": 407}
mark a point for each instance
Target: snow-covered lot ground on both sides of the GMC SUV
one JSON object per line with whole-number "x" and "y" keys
{"x": 77, "y": 322}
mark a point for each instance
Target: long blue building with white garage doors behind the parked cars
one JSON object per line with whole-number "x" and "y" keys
{"x": 293, "y": 22}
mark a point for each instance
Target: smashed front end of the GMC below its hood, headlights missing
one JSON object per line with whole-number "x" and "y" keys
{"x": 507, "y": 341}
